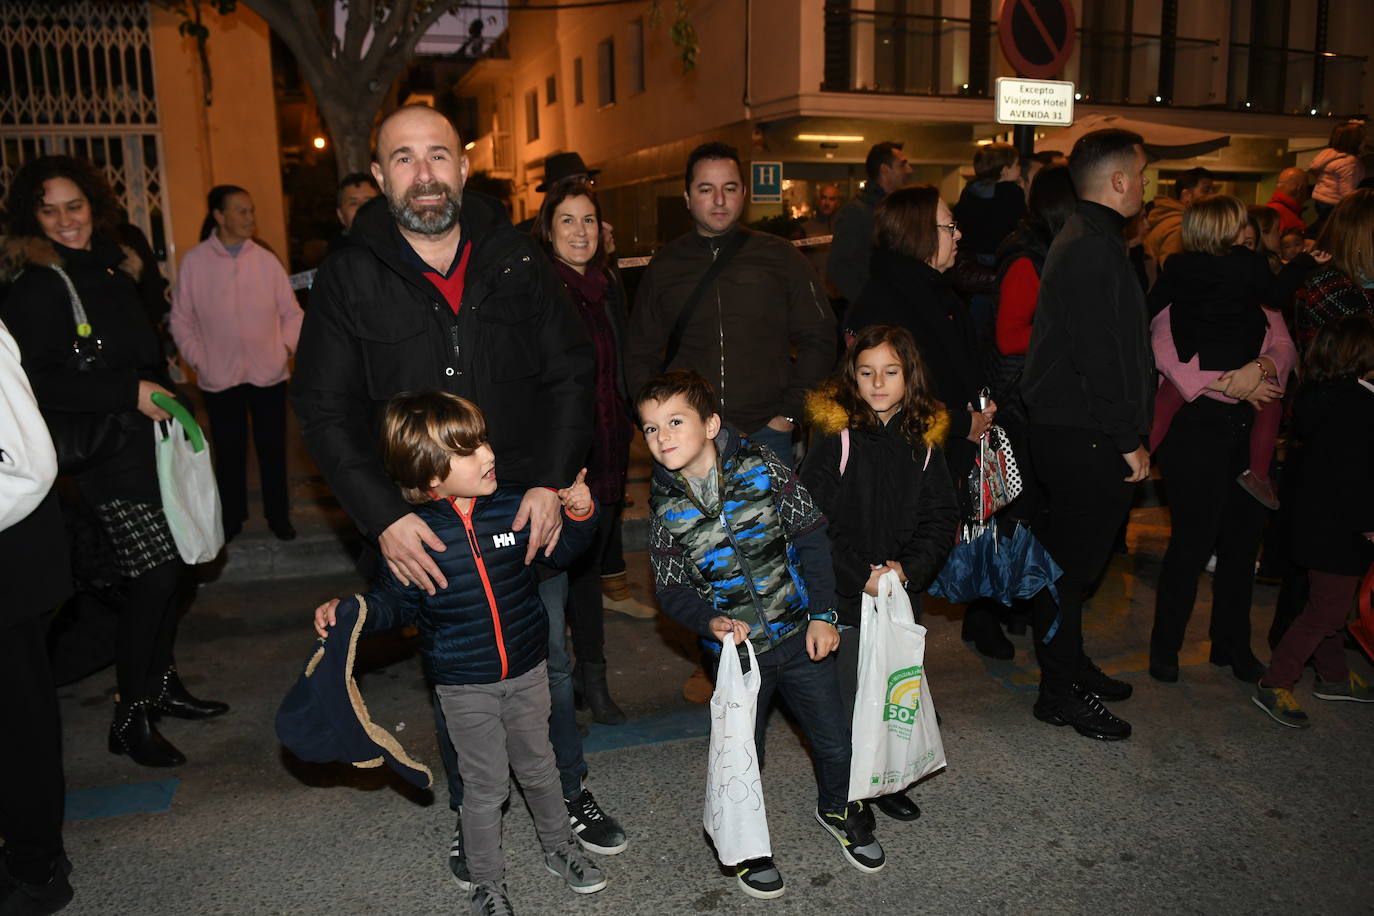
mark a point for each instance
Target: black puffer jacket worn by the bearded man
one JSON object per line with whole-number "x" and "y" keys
{"x": 377, "y": 328}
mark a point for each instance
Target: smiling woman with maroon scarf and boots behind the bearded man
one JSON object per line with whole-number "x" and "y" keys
{"x": 570, "y": 227}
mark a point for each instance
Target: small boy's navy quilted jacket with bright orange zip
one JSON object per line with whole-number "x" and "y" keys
{"x": 488, "y": 626}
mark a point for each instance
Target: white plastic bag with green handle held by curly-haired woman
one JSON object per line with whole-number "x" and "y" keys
{"x": 190, "y": 496}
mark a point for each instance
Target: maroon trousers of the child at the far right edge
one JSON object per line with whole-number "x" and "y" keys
{"x": 1318, "y": 634}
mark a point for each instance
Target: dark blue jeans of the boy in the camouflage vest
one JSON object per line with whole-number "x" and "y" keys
{"x": 811, "y": 691}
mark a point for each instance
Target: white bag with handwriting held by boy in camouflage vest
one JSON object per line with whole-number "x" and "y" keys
{"x": 736, "y": 818}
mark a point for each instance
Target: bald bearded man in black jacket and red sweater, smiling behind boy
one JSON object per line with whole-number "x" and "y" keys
{"x": 440, "y": 292}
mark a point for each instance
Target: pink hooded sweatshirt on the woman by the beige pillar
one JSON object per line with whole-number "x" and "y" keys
{"x": 236, "y": 319}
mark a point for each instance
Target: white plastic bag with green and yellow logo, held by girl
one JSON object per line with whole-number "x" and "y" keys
{"x": 897, "y": 740}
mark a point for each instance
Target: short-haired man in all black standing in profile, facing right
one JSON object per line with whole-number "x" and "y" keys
{"x": 1089, "y": 388}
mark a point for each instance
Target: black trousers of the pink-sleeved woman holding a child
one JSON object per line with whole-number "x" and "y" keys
{"x": 1207, "y": 447}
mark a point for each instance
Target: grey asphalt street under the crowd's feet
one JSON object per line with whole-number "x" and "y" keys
{"x": 1210, "y": 808}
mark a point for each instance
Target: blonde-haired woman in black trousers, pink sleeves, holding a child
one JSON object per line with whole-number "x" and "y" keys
{"x": 1224, "y": 358}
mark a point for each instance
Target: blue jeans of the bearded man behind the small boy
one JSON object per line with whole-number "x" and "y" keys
{"x": 563, "y": 722}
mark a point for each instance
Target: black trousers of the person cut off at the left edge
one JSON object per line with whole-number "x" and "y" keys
{"x": 31, "y": 772}
